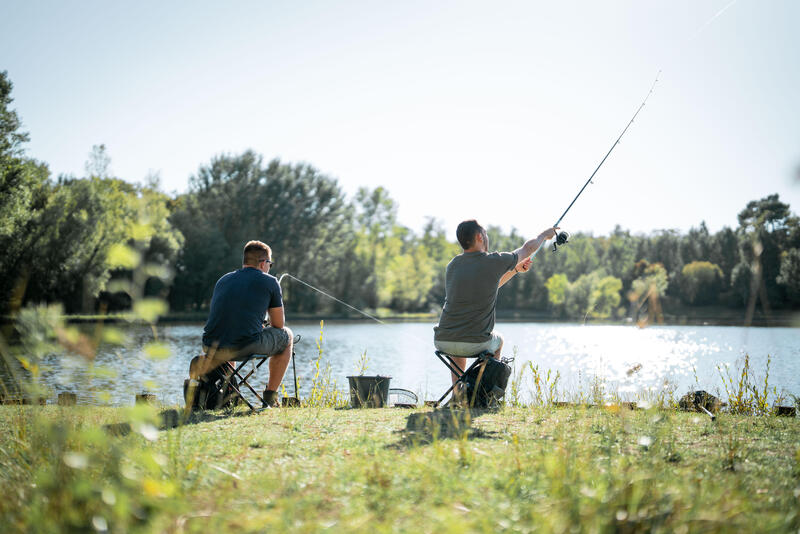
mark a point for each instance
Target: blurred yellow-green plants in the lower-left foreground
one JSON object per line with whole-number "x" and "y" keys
{"x": 68, "y": 473}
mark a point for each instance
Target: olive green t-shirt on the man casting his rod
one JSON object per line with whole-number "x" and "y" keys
{"x": 471, "y": 295}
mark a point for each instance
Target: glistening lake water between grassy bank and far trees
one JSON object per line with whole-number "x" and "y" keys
{"x": 683, "y": 356}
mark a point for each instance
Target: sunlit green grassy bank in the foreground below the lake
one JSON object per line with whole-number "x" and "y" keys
{"x": 310, "y": 469}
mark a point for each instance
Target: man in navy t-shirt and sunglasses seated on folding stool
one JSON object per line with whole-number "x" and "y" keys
{"x": 235, "y": 327}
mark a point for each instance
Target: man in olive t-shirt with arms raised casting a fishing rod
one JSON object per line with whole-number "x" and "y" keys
{"x": 466, "y": 326}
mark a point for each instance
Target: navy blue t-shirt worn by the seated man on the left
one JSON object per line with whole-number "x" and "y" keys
{"x": 238, "y": 307}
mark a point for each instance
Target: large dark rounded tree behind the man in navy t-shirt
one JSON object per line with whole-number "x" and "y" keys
{"x": 295, "y": 209}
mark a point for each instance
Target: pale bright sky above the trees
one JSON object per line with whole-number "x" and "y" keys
{"x": 498, "y": 111}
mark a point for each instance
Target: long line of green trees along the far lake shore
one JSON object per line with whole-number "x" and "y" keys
{"x": 95, "y": 243}
